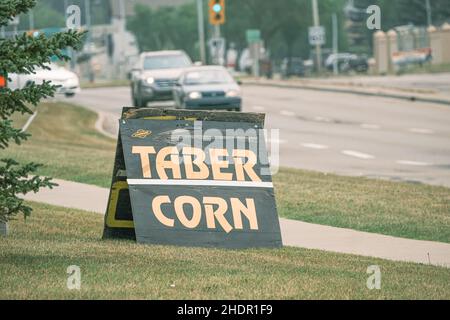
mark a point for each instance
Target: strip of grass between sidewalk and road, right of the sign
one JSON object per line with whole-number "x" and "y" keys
{"x": 400, "y": 209}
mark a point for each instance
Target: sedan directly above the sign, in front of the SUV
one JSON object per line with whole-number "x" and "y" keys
{"x": 207, "y": 88}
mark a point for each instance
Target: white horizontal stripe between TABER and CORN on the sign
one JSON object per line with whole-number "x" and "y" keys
{"x": 208, "y": 183}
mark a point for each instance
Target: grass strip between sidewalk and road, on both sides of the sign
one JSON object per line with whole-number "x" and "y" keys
{"x": 64, "y": 139}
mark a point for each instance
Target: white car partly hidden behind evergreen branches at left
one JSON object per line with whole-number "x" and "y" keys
{"x": 68, "y": 81}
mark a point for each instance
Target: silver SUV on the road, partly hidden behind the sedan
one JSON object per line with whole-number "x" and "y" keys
{"x": 155, "y": 74}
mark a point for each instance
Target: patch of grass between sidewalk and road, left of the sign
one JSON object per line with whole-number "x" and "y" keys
{"x": 65, "y": 140}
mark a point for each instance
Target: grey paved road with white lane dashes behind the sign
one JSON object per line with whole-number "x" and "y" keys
{"x": 338, "y": 133}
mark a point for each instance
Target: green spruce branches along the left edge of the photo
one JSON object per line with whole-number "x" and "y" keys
{"x": 23, "y": 54}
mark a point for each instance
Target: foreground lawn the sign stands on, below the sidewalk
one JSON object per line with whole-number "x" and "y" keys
{"x": 35, "y": 256}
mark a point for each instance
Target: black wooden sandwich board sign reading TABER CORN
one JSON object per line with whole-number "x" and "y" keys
{"x": 192, "y": 178}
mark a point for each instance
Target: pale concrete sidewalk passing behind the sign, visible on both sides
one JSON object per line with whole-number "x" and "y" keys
{"x": 294, "y": 233}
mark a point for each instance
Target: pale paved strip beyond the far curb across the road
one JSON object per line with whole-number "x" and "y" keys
{"x": 423, "y": 88}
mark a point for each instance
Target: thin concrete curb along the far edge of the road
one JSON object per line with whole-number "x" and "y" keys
{"x": 411, "y": 97}
